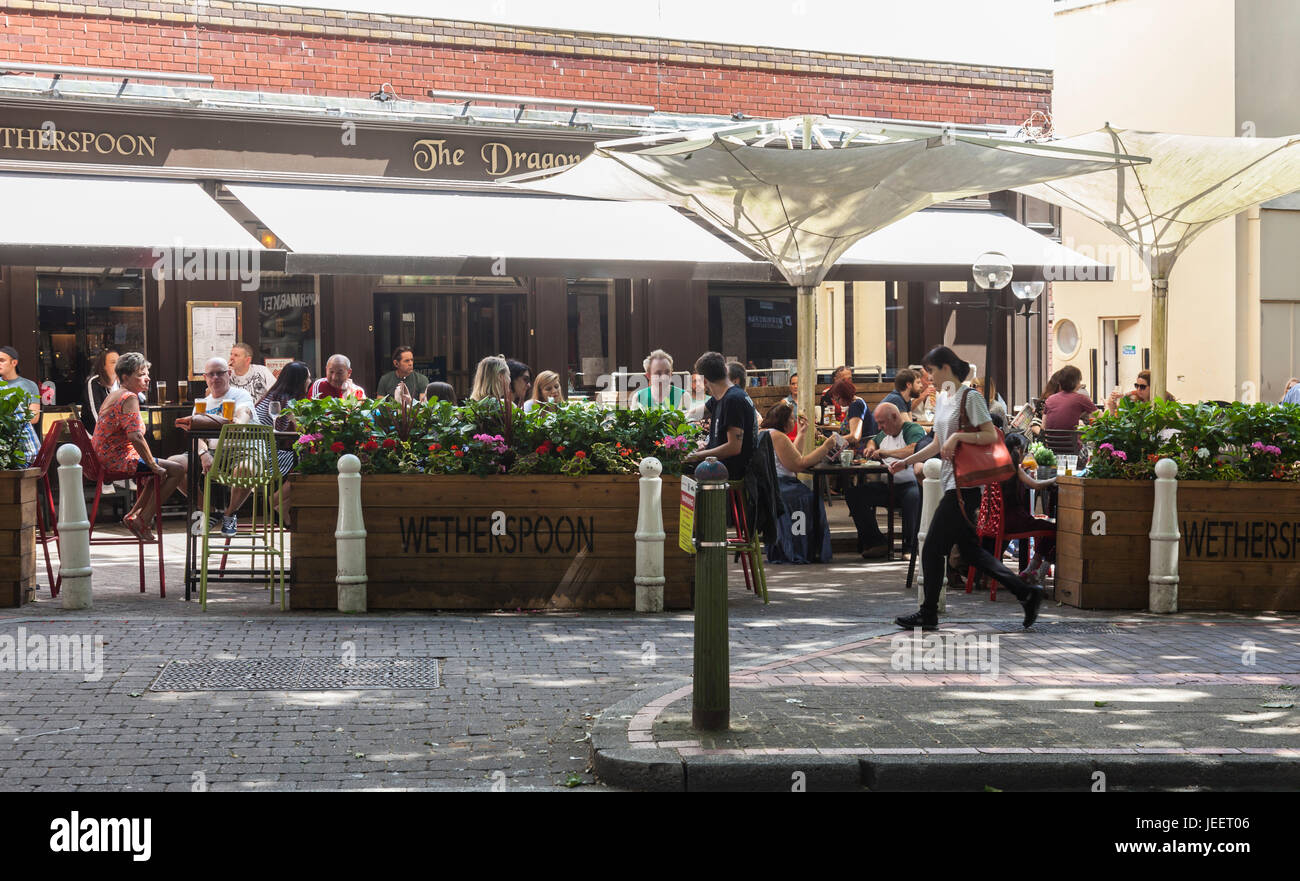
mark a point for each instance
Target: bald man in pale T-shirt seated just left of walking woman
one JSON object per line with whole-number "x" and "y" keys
{"x": 898, "y": 440}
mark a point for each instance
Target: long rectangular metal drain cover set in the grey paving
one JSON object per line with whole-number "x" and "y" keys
{"x": 298, "y": 675}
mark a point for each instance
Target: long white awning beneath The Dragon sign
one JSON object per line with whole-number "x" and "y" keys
{"x": 345, "y": 231}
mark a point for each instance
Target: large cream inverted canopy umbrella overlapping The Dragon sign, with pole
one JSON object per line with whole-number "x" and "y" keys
{"x": 800, "y": 192}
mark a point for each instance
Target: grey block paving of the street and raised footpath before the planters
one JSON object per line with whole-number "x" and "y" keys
{"x": 521, "y": 691}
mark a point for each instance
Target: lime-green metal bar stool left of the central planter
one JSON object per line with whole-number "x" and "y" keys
{"x": 246, "y": 459}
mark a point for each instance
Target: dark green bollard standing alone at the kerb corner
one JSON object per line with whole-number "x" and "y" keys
{"x": 712, "y": 693}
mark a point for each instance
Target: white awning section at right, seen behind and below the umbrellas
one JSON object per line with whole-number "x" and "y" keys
{"x": 942, "y": 246}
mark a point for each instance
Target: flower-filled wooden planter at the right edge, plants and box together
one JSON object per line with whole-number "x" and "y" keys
{"x": 1238, "y": 509}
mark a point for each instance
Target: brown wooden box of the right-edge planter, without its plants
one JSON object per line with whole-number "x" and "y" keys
{"x": 1240, "y": 546}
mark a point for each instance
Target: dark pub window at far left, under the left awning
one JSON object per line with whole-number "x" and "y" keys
{"x": 77, "y": 318}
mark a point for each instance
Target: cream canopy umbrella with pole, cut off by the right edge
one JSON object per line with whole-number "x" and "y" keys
{"x": 1159, "y": 209}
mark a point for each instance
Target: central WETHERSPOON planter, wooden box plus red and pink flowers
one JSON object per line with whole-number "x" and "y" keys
{"x": 483, "y": 506}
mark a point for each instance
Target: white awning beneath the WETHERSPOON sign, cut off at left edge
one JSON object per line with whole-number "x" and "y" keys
{"x": 62, "y": 220}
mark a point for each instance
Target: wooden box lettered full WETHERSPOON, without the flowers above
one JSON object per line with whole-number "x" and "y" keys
{"x": 570, "y": 544}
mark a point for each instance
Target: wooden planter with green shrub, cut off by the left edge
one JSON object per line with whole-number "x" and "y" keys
{"x": 18, "y": 504}
